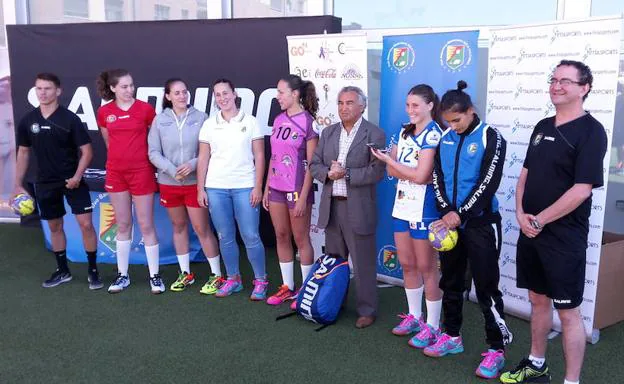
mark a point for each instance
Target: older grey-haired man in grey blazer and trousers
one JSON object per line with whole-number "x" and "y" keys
{"x": 348, "y": 210}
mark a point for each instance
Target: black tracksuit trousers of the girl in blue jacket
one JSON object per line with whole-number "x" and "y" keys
{"x": 479, "y": 246}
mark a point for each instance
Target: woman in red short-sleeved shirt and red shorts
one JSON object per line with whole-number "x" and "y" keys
{"x": 124, "y": 124}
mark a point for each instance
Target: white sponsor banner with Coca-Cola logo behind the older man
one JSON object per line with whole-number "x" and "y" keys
{"x": 330, "y": 61}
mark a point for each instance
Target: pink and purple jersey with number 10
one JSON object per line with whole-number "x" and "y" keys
{"x": 288, "y": 151}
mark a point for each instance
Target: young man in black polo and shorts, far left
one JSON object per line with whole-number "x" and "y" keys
{"x": 62, "y": 149}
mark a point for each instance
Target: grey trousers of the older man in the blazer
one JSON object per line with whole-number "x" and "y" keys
{"x": 341, "y": 240}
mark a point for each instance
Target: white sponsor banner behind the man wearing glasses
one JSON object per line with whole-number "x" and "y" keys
{"x": 521, "y": 60}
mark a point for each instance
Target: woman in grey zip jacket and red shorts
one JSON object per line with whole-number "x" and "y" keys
{"x": 173, "y": 145}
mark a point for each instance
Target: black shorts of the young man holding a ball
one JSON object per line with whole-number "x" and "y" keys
{"x": 50, "y": 199}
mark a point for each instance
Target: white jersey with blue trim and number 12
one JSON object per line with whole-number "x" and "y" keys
{"x": 415, "y": 202}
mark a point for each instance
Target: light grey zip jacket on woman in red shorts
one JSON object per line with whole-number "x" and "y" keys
{"x": 174, "y": 141}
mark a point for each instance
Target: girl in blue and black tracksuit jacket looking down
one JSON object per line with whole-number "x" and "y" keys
{"x": 467, "y": 171}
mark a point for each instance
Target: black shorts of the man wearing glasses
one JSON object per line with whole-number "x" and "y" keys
{"x": 551, "y": 271}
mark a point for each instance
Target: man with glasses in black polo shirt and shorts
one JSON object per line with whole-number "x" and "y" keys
{"x": 563, "y": 164}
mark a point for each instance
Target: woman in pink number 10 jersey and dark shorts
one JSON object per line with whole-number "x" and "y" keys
{"x": 288, "y": 194}
